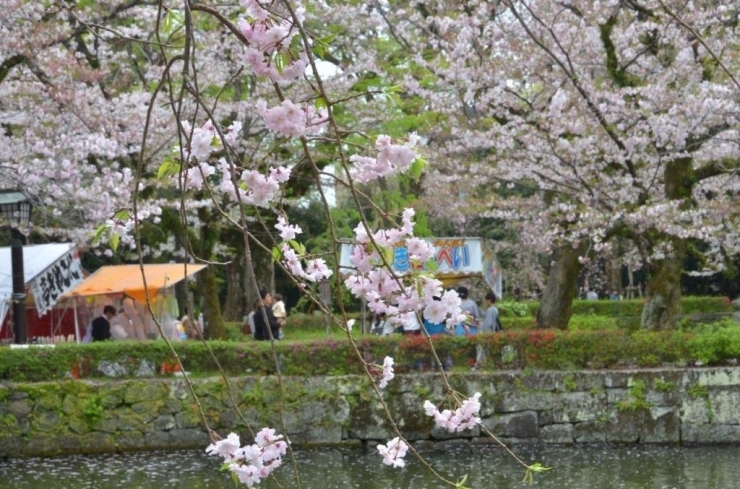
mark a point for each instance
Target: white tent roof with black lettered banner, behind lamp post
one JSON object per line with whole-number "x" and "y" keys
{"x": 49, "y": 271}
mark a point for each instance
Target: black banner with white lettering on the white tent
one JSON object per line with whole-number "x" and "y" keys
{"x": 50, "y": 284}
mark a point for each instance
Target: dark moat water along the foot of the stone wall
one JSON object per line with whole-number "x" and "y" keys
{"x": 588, "y": 467}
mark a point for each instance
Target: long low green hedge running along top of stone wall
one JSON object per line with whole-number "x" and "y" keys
{"x": 512, "y": 349}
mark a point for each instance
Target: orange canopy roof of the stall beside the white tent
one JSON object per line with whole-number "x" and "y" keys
{"x": 127, "y": 279}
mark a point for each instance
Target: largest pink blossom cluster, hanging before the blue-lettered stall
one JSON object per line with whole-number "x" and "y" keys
{"x": 398, "y": 295}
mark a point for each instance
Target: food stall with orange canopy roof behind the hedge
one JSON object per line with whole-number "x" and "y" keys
{"x": 126, "y": 288}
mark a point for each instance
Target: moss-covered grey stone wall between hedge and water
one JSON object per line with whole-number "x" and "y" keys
{"x": 631, "y": 406}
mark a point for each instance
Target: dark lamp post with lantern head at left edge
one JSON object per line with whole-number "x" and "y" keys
{"x": 16, "y": 209}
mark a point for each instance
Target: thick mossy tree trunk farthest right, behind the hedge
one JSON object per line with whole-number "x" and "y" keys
{"x": 663, "y": 290}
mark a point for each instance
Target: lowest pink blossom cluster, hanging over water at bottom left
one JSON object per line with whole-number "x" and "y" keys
{"x": 251, "y": 463}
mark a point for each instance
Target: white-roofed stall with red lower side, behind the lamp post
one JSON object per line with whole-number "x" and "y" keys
{"x": 50, "y": 270}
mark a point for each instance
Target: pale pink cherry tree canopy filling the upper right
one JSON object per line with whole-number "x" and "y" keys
{"x": 623, "y": 116}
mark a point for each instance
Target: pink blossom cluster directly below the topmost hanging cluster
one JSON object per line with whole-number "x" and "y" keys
{"x": 291, "y": 119}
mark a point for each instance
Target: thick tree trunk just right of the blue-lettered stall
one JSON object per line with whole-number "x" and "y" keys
{"x": 562, "y": 282}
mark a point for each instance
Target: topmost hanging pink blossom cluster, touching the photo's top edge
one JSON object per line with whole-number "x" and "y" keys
{"x": 270, "y": 36}
